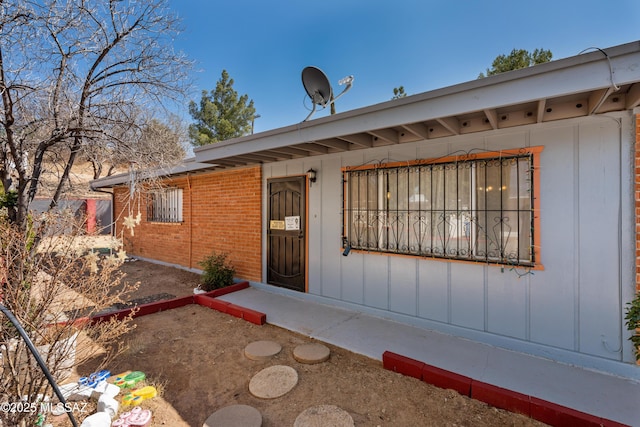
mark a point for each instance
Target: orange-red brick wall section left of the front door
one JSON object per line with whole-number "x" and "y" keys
{"x": 221, "y": 212}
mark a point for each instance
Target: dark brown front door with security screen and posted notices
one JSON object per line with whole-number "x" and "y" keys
{"x": 286, "y": 233}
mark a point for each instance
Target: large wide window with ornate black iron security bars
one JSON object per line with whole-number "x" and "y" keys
{"x": 475, "y": 210}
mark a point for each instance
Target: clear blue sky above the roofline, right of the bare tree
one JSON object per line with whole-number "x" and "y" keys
{"x": 419, "y": 44}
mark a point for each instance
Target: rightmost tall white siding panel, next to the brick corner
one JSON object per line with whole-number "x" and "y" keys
{"x": 599, "y": 200}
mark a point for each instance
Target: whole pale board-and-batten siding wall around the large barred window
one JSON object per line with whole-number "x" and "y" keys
{"x": 573, "y": 308}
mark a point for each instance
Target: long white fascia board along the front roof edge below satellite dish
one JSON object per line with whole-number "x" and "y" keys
{"x": 578, "y": 74}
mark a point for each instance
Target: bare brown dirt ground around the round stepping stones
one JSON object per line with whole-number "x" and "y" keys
{"x": 195, "y": 357}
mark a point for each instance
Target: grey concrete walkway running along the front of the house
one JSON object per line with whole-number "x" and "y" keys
{"x": 595, "y": 393}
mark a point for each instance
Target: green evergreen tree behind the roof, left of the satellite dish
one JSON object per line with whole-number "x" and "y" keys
{"x": 221, "y": 114}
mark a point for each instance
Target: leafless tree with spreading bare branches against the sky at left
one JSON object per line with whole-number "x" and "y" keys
{"x": 81, "y": 71}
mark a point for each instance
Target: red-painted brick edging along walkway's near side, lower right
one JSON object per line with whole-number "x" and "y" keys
{"x": 532, "y": 407}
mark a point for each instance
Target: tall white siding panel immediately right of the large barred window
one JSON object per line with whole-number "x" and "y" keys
{"x": 553, "y": 294}
